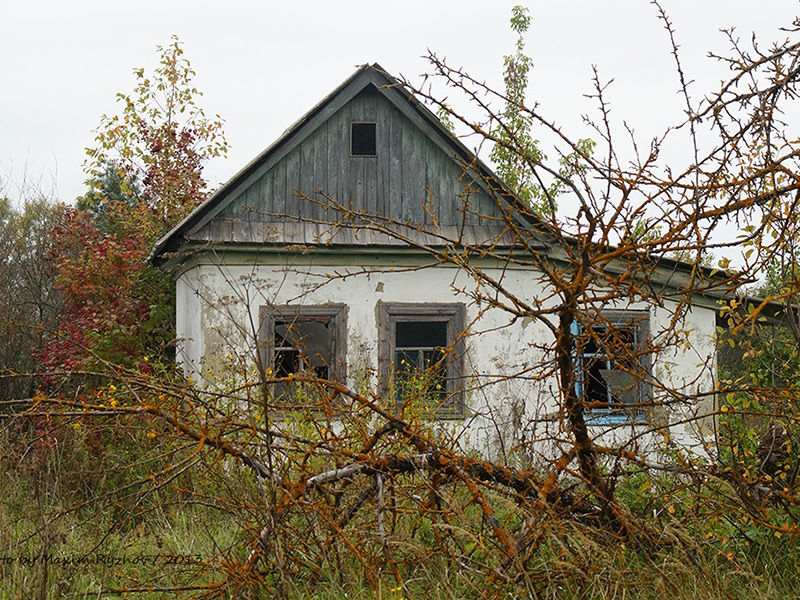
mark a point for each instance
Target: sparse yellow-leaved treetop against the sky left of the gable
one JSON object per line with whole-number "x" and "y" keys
{"x": 159, "y": 142}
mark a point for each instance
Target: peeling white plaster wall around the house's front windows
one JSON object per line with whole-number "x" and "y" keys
{"x": 217, "y": 317}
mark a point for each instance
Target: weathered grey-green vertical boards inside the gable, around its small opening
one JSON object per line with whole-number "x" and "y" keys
{"x": 411, "y": 179}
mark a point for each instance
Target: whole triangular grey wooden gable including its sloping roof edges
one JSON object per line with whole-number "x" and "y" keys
{"x": 307, "y": 187}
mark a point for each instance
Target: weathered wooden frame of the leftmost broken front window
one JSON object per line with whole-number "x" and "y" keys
{"x": 269, "y": 316}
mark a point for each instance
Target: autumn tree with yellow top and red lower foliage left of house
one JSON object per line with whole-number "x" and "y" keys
{"x": 145, "y": 175}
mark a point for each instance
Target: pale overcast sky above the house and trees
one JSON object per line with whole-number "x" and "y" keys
{"x": 261, "y": 65}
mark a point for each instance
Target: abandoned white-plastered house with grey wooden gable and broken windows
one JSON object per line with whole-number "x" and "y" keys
{"x": 325, "y": 254}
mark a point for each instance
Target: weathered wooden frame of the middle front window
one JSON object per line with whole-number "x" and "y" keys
{"x": 454, "y": 315}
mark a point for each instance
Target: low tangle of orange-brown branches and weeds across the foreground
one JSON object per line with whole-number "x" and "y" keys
{"x": 346, "y": 494}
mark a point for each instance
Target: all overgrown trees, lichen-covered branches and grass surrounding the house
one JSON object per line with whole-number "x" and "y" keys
{"x": 120, "y": 475}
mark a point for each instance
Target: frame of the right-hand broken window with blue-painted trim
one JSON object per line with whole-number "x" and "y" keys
{"x": 616, "y": 412}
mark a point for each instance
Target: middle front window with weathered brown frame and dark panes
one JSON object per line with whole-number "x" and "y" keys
{"x": 421, "y": 356}
